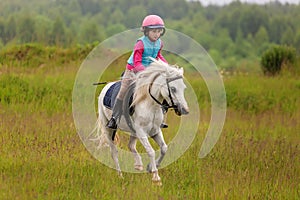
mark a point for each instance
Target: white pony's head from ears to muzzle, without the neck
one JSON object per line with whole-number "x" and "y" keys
{"x": 173, "y": 90}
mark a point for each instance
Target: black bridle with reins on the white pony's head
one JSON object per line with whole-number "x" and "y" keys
{"x": 164, "y": 105}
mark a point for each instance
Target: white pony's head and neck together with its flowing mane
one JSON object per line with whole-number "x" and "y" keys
{"x": 162, "y": 82}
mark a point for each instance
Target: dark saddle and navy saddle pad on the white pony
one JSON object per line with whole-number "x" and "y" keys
{"x": 111, "y": 96}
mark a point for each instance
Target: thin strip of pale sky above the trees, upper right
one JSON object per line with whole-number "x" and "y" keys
{"x": 222, "y": 2}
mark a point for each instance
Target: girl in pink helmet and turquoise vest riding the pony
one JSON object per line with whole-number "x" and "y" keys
{"x": 149, "y": 45}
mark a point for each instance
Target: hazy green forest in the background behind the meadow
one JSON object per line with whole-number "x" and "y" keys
{"x": 229, "y": 33}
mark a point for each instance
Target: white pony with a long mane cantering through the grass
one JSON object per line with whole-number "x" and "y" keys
{"x": 158, "y": 82}
